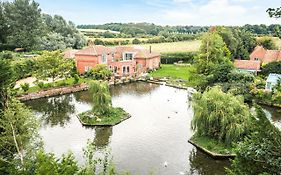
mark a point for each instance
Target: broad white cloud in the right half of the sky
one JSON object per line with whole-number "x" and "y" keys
{"x": 217, "y": 12}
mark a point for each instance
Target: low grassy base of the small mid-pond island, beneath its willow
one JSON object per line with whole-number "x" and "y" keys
{"x": 115, "y": 116}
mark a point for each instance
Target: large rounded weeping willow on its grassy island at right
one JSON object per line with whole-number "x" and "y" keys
{"x": 220, "y": 120}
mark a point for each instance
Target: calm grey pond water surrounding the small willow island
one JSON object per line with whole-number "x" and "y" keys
{"x": 157, "y": 132}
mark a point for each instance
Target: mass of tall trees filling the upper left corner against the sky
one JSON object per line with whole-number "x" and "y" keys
{"x": 23, "y": 25}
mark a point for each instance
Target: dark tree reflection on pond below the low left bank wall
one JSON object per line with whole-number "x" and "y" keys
{"x": 55, "y": 110}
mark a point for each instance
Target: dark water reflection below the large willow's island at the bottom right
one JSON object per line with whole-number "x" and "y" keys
{"x": 202, "y": 164}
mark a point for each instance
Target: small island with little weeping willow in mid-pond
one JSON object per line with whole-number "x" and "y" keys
{"x": 103, "y": 113}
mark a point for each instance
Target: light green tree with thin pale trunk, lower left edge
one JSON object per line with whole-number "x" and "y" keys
{"x": 18, "y": 136}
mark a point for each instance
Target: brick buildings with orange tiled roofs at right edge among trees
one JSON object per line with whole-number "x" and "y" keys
{"x": 259, "y": 56}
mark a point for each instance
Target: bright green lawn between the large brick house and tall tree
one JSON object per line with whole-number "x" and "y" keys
{"x": 172, "y": 71}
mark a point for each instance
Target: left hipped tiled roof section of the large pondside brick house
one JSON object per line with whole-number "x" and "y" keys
{"x": 94, "y": 50}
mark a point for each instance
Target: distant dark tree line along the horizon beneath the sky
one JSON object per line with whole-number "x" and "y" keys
{"x": 150, "y": 29}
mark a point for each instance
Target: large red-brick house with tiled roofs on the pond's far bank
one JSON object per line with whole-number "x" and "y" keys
{"x": 122, "y": 60}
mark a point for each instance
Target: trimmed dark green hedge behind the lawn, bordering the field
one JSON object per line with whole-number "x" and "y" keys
{"x": 171, "y": 58}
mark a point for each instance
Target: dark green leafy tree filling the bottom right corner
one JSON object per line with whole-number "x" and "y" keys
{"x": 260, "y": 152}
